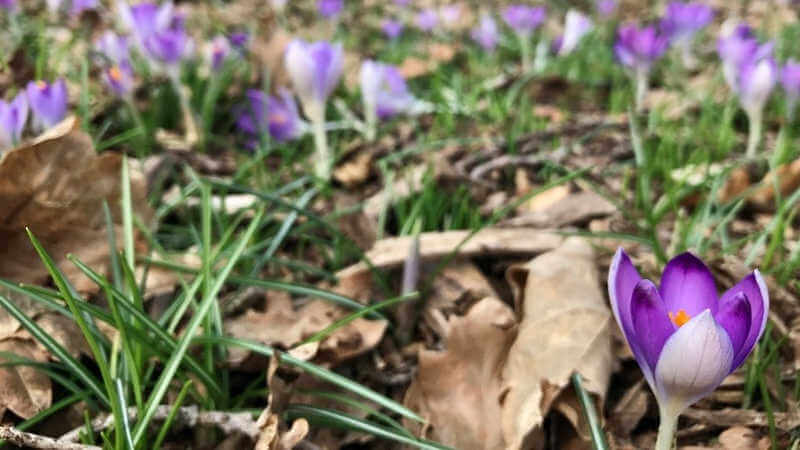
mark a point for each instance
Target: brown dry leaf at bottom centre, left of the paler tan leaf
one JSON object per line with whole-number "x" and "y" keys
{"x": 458, "y": 390}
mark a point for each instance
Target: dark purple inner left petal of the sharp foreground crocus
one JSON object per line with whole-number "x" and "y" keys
{"x": 651, "y": 322}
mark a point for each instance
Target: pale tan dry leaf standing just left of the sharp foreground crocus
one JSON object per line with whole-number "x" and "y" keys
{"x": 564, "y": 328}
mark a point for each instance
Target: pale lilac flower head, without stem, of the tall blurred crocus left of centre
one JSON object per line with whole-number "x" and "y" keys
{"x": 315, "y": 70}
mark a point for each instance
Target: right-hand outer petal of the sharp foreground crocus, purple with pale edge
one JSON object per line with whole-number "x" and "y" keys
{"x": 755, "y": 289}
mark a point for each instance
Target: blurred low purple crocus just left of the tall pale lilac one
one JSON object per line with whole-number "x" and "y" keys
{"x": 276, "y": 115}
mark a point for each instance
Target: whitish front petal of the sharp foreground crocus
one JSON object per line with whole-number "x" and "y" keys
{"x": 693, "y": 362}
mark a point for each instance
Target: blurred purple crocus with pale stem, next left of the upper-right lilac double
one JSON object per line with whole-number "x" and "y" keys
{"x": 637, "y": 49}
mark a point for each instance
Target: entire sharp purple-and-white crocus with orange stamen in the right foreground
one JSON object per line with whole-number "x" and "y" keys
{"x": 685, "y": 337}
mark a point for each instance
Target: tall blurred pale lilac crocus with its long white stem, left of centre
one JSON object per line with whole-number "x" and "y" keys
{"x": 315, "y": 70}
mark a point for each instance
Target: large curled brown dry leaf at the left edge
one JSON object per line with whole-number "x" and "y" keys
{"x": 56, "y": 186}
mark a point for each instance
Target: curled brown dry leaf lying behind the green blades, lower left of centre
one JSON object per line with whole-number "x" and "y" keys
{"x": 283, "y": 326}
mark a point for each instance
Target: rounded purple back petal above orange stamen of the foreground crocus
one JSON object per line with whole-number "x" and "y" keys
{"x": 687, "y": 284}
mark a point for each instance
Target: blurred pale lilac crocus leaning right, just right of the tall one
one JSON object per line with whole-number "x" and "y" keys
{"x": 384, "y": 93}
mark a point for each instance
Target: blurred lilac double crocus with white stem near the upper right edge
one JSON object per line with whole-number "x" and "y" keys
{"x": 751, "y": 72}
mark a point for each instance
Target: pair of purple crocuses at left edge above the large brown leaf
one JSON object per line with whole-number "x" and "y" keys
{"x": 47, "y": 101}
